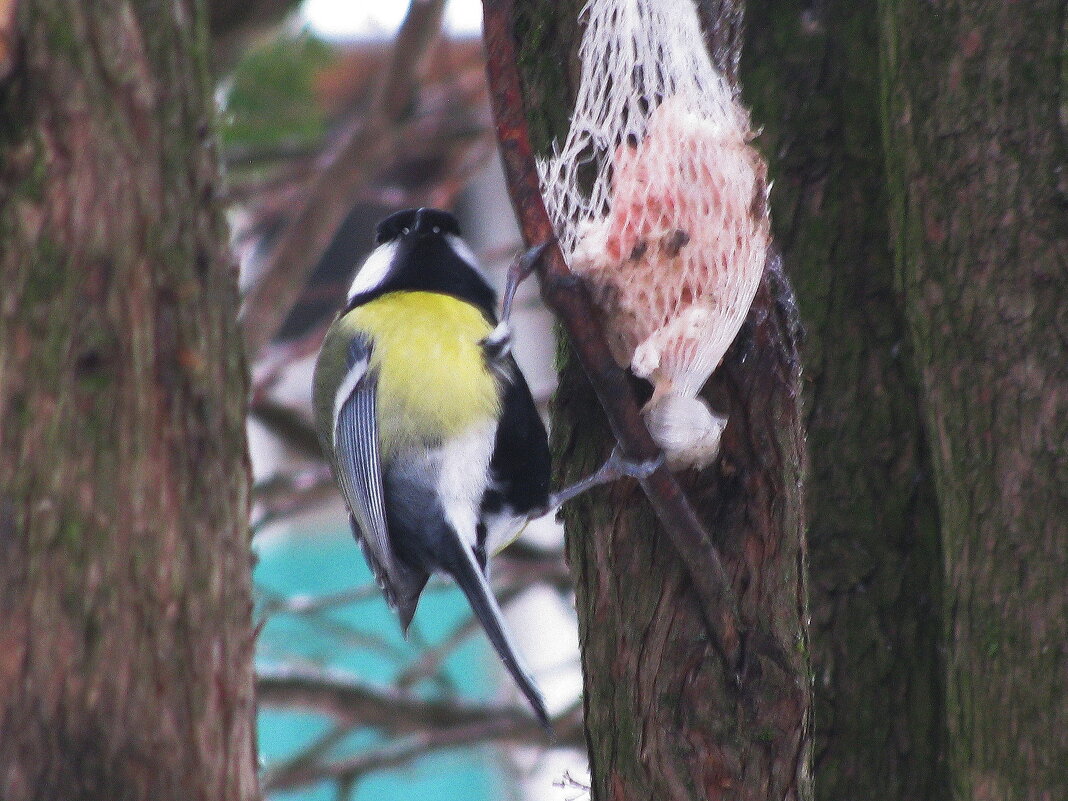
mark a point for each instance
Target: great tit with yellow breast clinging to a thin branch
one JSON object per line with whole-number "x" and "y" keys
{"x": 428, "y": 423}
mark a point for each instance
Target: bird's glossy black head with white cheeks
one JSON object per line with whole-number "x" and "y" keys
{"x": 421, "y": 250}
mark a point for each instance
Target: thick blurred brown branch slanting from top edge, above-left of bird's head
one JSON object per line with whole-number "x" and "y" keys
{"x": 344, "y": 172}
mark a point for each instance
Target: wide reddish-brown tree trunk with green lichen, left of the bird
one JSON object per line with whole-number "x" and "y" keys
{"x": 125, "y": 638}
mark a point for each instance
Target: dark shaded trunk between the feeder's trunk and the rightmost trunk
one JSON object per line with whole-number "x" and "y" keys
{"x": 811, "y": 73}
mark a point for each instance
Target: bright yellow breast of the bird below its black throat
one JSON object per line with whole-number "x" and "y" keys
{"x": 433, "y": 379}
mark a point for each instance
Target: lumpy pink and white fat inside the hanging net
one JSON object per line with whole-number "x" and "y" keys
{"x": 674, "y": 264}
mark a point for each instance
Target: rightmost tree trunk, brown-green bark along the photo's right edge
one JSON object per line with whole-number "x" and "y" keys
{"x": 976, "y": 149}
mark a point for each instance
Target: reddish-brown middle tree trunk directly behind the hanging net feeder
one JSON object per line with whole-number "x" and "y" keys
{"x": 666, "y": 719}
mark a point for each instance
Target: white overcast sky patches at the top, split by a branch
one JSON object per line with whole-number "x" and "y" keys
{"x": 349, "y": 19}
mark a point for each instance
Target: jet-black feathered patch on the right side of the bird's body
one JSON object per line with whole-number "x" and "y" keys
{"x": 521, "y": 463}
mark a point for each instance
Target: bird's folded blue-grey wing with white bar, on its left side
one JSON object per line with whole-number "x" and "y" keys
{"x": 359, "y": 469}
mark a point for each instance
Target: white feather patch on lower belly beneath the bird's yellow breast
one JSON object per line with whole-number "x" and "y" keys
{"x": 463, "y": 478}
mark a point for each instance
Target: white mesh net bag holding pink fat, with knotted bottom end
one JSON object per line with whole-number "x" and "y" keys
{"x": 659, "y": 202}
